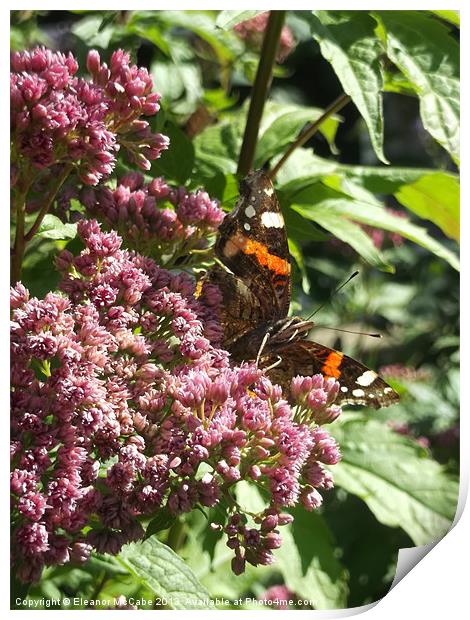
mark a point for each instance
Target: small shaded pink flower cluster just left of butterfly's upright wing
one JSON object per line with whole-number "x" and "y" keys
{"x": 137, "y": 211}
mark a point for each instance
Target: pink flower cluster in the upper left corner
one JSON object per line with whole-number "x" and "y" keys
{"x": 57, "y": 118}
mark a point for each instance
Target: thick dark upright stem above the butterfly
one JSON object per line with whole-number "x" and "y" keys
{"x": 260, "y": 90}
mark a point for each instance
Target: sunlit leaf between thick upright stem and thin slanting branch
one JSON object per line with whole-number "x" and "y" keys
{"x": 282, "y": 123}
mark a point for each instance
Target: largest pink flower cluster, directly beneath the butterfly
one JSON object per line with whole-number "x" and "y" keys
{"x": 123, "y": 405}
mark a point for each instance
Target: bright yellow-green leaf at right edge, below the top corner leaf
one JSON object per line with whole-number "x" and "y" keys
{"x": 434, "y": 197}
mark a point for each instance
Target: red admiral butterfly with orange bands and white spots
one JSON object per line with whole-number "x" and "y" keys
{"x": 254, "y": 277}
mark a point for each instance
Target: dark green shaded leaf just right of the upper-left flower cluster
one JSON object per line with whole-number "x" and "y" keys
{"x": 177, "y": 162}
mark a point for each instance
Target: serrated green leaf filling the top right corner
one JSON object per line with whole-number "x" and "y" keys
{"x": 429, "y": 58}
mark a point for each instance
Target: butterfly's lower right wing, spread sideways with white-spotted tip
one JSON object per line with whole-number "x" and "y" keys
{"x": 359, "y": 385}
